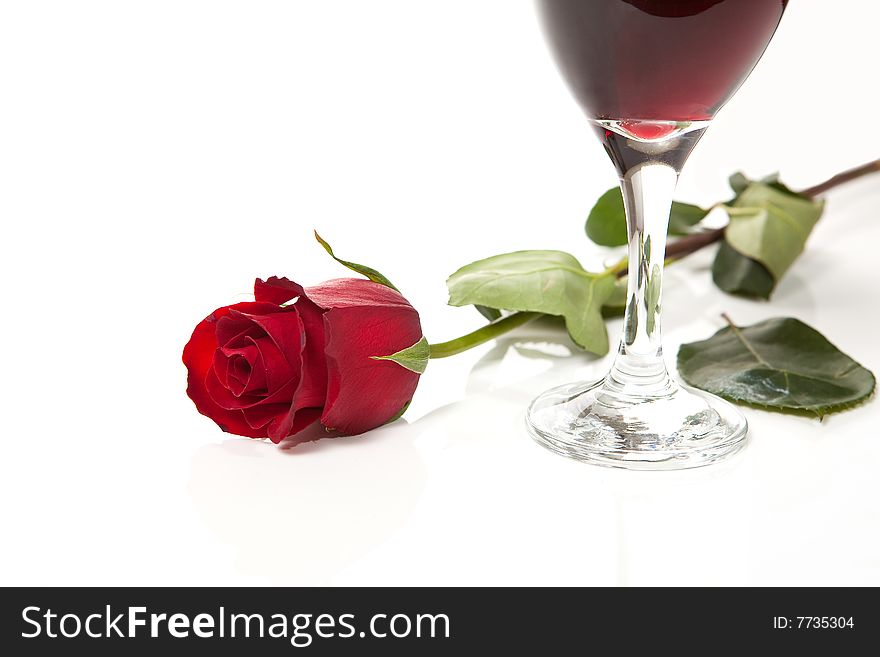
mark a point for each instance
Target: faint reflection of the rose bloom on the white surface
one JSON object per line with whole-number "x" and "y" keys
{"x": 300, "y": 516}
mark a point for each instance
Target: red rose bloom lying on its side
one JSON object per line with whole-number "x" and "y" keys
{"x": 263, "y": 370}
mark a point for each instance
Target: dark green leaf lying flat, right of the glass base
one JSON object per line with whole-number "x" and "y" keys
{"x": 779, "y": 364}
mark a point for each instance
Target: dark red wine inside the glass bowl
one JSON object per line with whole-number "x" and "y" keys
{"x": 657, "y": 60}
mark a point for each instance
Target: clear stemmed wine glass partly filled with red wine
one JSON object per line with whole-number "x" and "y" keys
{"x": 650, "y": 75}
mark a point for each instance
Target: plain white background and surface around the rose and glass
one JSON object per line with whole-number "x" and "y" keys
{"x": 156, "y": 156}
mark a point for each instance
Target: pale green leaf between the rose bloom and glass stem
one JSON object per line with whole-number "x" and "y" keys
{"x": 549, "y": 282}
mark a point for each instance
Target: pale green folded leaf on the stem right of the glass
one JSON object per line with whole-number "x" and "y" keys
{"x": 771, "y": 226}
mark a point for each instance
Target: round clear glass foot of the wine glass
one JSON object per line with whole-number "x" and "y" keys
{"x": 596, "y": 423}
